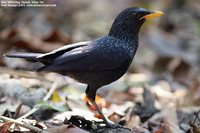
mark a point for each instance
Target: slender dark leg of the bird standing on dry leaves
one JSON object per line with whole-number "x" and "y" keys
{"x": 91, "y": 94}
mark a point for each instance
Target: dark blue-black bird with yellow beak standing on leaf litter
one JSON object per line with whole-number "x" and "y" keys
{"x": 101, "y": 61}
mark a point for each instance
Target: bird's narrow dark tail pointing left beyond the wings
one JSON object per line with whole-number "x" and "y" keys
{"x": 28, "y": 56}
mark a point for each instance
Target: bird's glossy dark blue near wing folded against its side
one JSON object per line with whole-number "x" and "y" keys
{"x": 88, "y": 58}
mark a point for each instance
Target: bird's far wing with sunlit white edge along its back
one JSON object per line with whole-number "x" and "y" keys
{"x": 49, "y": 57}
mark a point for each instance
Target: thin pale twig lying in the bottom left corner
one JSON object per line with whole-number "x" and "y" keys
{"x": 32, "y": 128}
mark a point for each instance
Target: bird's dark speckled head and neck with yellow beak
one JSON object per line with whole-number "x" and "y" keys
{"x": 128, "y": 22}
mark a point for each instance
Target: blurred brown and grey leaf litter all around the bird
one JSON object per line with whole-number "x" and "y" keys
{"x": 158, "y": 95}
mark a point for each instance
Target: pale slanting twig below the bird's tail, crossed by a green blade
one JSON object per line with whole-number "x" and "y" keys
{"x": 35, "y": 108}
